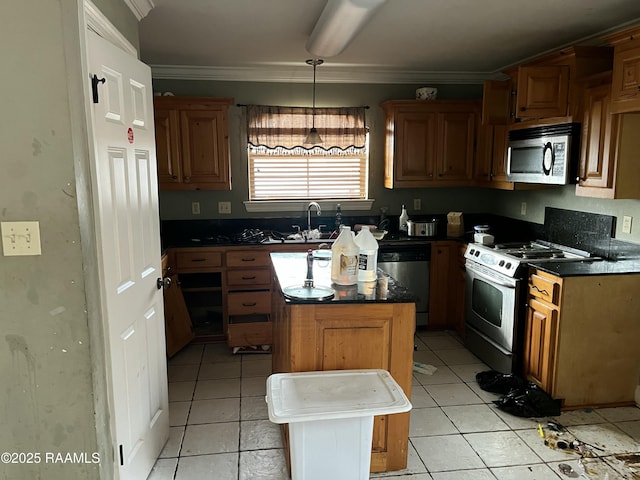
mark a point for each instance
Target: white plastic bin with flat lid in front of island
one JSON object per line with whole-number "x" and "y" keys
{"x": 330, "y": 416}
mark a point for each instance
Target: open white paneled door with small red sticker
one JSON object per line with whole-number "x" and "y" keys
{"x": 128, "y": 235}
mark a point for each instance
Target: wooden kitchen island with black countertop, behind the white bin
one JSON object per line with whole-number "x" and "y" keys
{"x": 365, "y": 326}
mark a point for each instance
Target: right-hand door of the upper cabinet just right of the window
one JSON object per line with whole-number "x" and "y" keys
{"x": 456, "y": 135}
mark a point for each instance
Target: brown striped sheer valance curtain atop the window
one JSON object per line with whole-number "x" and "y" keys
{"x": 274, "y": 128}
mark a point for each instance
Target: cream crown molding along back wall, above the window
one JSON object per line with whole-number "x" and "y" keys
{"x": 288, "y": 73}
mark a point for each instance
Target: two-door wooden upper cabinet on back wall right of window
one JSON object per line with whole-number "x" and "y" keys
{"x": 430, "y": 143}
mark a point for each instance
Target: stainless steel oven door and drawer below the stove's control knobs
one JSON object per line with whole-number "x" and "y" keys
{"x": 492, "y": 312}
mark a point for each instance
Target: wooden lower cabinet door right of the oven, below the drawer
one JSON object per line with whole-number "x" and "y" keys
{"x": 539, "y": 348}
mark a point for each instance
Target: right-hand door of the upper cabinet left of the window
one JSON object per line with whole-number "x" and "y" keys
{"x": 205, "y": 150}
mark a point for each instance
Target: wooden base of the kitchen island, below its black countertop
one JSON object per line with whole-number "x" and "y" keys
{"x": 351, "y": 336}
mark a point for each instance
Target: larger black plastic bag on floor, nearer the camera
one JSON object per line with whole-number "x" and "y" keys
{"x": 529, "y": 401}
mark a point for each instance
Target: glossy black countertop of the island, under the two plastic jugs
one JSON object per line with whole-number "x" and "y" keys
{"x": 291, "y": 270}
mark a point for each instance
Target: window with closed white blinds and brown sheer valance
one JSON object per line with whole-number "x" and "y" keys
{"x": 282, "y": 167}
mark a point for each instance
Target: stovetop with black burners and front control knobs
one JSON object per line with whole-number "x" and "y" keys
{"x": 507, "y": 258}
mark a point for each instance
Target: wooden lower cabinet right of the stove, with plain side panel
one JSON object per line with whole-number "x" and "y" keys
{"x": 581, "y": 338}
